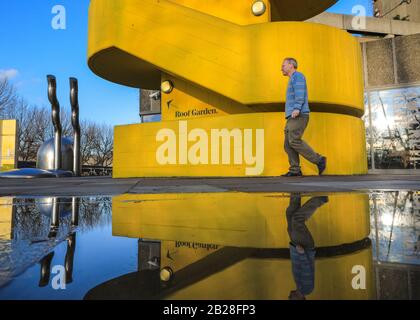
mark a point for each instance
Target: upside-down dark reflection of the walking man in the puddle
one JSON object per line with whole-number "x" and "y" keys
{"x": 302, "y": 246}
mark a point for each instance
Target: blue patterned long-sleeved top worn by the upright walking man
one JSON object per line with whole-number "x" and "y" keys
{"x": 297, "y": 94}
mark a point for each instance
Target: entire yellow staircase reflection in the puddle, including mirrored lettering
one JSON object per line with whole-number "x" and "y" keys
{"x": 233, "y": 241}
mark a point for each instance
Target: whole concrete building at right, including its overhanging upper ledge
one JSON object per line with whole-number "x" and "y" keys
{"x": 390, "y": 44}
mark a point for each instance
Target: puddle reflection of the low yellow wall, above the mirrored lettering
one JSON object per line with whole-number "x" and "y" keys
{"x": 236, "y": 219}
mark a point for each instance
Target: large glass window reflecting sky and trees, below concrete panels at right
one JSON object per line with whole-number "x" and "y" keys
{"x": 394, "y": 137}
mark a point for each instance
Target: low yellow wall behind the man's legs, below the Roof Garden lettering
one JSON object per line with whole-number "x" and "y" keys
{"x": 340, "y": 138}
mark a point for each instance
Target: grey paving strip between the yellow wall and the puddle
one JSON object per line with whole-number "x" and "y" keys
{"x": 92, "y": 186}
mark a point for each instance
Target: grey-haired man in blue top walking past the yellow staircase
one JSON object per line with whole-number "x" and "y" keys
{"x": 297, "y": 115}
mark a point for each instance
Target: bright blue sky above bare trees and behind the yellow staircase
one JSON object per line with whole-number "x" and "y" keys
{"x": 31, "y": 49}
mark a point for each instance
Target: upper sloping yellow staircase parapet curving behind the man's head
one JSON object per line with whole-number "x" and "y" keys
{"x": 133, "y": 41}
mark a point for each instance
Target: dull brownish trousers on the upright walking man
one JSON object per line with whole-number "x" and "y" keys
{"x": 295, "y": 146}
